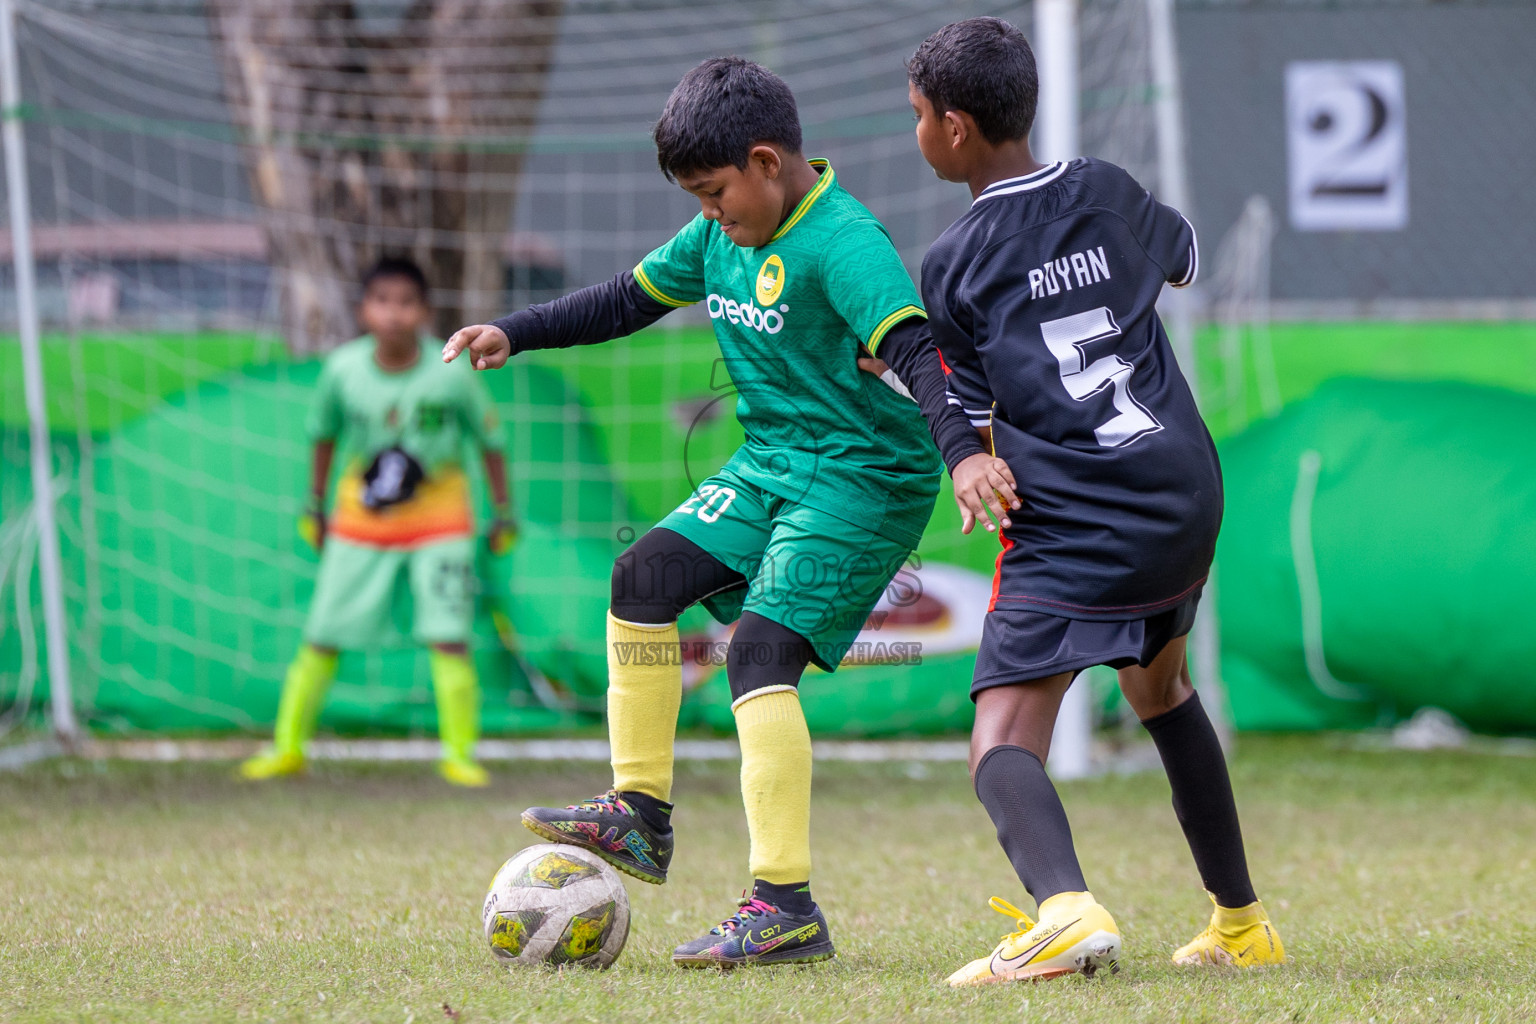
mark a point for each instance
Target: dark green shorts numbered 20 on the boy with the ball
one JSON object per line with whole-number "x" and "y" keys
{"x": 806, "y": 569}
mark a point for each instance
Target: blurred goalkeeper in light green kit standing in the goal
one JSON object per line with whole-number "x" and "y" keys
{"x": 403, "y": 506}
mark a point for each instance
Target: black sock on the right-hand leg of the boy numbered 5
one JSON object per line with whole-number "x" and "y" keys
{"x": 1203, "y": 801}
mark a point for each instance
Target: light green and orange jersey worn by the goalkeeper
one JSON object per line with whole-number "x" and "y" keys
{"x": 429, "y": 411}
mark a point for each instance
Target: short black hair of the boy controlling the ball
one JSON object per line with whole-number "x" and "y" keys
{"x": 720, "y": 111}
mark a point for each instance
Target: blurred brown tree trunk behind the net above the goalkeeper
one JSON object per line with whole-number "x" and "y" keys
{"x": 372, "y": 136}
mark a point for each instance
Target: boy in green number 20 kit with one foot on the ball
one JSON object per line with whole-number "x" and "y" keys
{"x": 803, "y": 530}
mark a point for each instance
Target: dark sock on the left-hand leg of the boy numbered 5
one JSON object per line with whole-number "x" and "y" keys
{"x": 1031, "y": 822}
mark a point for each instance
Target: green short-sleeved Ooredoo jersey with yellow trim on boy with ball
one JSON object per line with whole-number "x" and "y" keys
{"x": 792, "y": 319}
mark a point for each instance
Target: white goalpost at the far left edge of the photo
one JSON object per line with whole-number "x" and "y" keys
{"x": 50, "y": 563}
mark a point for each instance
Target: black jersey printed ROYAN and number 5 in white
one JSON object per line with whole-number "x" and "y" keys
{"x": 1042, "y": 302}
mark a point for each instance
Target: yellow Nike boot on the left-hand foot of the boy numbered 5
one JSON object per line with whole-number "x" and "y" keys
{"x": 1074, "y": 936}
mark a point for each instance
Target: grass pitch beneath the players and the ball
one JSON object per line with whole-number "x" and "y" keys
{"x": 1403, "y": 885}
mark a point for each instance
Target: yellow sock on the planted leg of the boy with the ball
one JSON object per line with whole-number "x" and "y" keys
{"x": 776, "y": 784}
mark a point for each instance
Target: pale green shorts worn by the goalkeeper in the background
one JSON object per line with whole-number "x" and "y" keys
{"x": 356, "y": 595}
